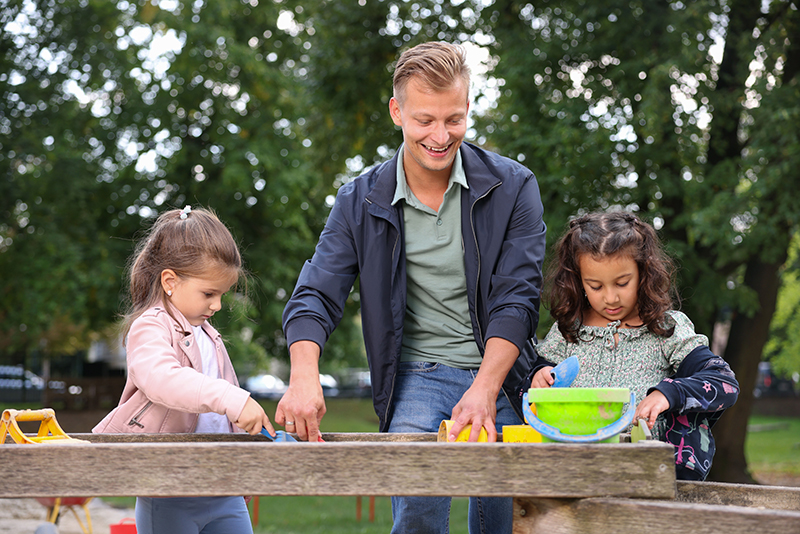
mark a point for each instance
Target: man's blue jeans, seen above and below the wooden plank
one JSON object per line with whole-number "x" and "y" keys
{"x": 424, "y": 396}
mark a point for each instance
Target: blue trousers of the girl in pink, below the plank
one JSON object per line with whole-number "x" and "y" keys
{"x": 192, "y": 515}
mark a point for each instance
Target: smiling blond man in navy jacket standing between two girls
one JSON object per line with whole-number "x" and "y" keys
{"x": 448, "y": 242}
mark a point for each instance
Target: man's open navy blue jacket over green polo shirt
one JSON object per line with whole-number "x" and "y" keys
{"x": 503, "y": 238}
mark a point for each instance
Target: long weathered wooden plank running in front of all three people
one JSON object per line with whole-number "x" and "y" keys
{"x": 346, "y": 468}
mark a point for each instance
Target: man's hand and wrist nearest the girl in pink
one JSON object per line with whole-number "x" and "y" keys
{"x": 303, "y": 405}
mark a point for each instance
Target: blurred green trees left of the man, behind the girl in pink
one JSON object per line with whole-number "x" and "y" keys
{"x": 252, "y": 109}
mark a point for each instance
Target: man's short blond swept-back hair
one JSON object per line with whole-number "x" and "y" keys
{"x": 438, "y": 65}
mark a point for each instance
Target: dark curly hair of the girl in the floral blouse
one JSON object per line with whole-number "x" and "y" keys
{"x": 602, "y": 235}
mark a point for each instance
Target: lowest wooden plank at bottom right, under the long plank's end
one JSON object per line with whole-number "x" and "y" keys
{"x": 609, "y": 515}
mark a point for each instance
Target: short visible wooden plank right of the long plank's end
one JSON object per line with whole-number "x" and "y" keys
{"x": 751, "y": 495}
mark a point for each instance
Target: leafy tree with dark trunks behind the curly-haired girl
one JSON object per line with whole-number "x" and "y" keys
{"x": 629, "y": 106}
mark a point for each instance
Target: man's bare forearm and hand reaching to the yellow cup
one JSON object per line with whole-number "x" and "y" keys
{"x": 478, "y": 406}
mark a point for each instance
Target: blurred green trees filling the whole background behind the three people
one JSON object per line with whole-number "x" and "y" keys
{"x": 260, "y": 110}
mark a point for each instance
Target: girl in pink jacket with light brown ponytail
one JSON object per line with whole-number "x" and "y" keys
{"x": 180, "y": 378}
